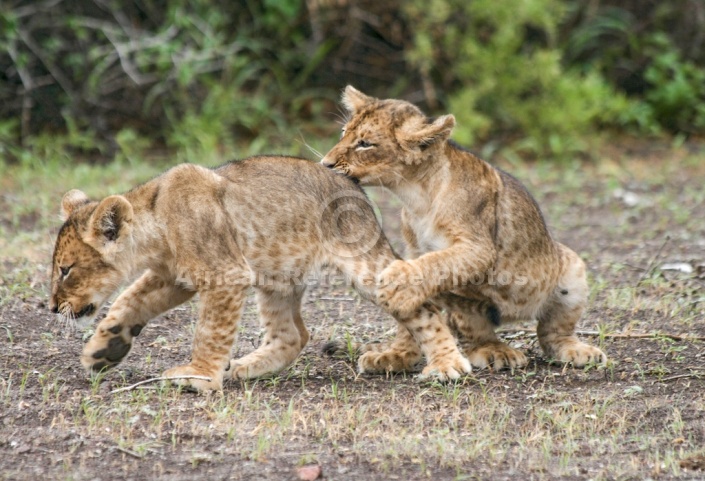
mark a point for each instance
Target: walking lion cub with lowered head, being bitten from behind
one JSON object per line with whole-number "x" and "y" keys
{"x": 267, "y": 222}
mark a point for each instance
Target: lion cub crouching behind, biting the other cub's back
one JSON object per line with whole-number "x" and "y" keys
{"x": 471, "y": 230}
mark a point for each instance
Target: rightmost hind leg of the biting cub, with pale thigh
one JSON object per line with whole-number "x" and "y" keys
{"x": 560, "y": 314}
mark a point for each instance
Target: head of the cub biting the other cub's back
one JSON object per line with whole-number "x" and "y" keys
{"x": 385, "y": 141}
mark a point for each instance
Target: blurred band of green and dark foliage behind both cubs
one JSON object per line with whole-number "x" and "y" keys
{"x": 524, "y": 77}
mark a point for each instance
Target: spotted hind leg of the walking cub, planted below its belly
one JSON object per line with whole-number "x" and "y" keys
{"x": 285, "y": 334}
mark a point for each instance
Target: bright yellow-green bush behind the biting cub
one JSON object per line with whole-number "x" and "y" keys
{"x": 501, "y": 64}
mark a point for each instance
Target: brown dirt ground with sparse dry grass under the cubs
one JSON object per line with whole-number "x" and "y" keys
{"x": 639, "y": 221}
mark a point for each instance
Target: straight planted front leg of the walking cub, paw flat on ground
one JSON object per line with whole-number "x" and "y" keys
{"x": 220, "y": 312}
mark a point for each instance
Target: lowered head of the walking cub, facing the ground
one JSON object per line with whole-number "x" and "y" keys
{"x": 91, "y": 251}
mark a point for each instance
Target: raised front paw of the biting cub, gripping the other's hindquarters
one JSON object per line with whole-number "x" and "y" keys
{"x": 400, "y": 289}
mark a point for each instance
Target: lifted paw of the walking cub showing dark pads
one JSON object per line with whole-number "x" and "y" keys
{"x": 107, "y": 347}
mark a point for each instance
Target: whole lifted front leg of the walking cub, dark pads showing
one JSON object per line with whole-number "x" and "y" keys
{"x": 147, "y": 297}
